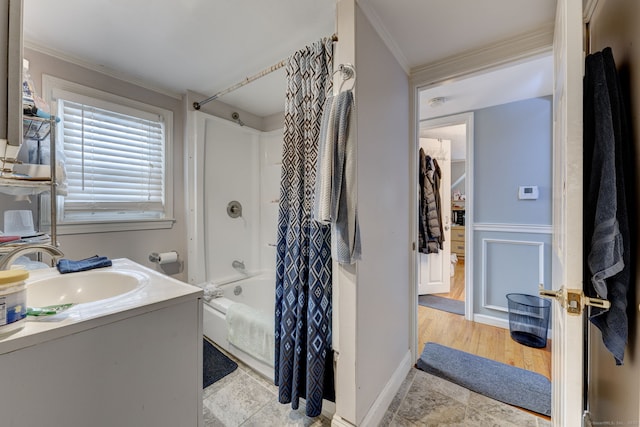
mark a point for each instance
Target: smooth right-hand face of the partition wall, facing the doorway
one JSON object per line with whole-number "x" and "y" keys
{"x": 382, "y": 94}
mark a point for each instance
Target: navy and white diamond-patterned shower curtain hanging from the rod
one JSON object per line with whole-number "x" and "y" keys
{"x": 303, "y": 355}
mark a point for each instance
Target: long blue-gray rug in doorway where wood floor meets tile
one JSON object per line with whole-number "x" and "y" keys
{"x": 495, "y": 380}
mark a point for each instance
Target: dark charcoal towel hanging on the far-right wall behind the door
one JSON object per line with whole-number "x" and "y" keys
{"x": 608, "y": 181}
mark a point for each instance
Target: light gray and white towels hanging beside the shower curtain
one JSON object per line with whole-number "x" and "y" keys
{"x": 336, "y": 197}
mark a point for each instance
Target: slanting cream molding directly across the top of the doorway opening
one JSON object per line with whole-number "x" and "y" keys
{"x": 523, "y": 47}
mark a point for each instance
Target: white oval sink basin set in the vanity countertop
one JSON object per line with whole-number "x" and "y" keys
{"x": 82, "y": 287}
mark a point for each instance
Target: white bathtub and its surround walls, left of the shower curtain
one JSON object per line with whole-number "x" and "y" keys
{"x": 230, "y": 163}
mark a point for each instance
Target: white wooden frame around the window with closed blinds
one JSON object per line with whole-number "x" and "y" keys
{"x": 53, "y": 87}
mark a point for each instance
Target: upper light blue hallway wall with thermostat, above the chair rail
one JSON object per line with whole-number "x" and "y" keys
{"x": 512, "y": 147}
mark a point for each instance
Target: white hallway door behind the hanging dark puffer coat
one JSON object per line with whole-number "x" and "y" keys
{"x": 435, "y": 269}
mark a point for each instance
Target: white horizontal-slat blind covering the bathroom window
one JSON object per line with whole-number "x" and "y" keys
{"x": 114, "y": 163}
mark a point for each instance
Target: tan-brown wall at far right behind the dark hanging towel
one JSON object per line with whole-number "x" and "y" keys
{"x": 615, "y": 390}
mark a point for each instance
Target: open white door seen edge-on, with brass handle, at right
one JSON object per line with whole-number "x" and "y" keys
{"x": 568, "y": 349}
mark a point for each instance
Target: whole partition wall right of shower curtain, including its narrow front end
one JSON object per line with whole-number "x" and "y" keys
{"x": 380, "y": 282}
